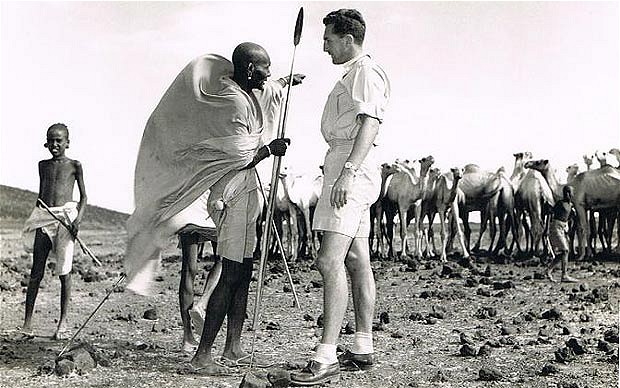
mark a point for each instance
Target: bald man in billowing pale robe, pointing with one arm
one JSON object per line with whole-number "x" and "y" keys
{"x": 196, "y": 161}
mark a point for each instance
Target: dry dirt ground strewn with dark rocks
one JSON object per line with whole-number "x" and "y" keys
{"x": 430, "y": 307}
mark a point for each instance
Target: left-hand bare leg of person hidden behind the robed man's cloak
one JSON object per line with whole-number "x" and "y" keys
{"x": 189, "y": 253}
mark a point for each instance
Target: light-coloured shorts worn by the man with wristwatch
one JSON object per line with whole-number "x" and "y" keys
{"x": 353, "y": 219}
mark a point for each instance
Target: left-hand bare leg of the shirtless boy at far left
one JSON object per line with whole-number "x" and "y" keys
{"x": 42, "y": 247}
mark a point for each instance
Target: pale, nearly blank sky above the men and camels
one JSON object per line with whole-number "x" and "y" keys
{"x": 472, "y": 82}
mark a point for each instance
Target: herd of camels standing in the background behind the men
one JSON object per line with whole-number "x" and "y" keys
{"x": 519, "y": 204}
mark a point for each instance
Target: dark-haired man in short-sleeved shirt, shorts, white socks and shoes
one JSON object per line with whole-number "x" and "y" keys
{"x": 352, "y": 182}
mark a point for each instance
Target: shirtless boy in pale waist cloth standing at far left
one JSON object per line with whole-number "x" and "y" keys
{"x": 57, "y": 178}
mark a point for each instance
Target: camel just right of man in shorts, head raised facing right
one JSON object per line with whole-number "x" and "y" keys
{"x": 407, "y": 191}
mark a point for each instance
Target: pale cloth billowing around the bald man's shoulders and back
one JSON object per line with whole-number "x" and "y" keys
{"x": 204, "y": 127}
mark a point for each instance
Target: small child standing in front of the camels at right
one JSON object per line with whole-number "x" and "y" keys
{"x": 557, "y": 234}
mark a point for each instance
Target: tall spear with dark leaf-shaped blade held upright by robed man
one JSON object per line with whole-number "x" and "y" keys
{"x": 274, "y": 185}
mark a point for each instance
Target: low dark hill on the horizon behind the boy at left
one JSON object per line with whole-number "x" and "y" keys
{"x": 16, "y": 205}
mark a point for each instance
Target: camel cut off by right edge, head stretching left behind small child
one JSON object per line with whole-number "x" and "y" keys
{"x": 592, "y": 190}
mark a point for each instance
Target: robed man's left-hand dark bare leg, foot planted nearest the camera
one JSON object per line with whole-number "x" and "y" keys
{"x": 219, "y": 305}
